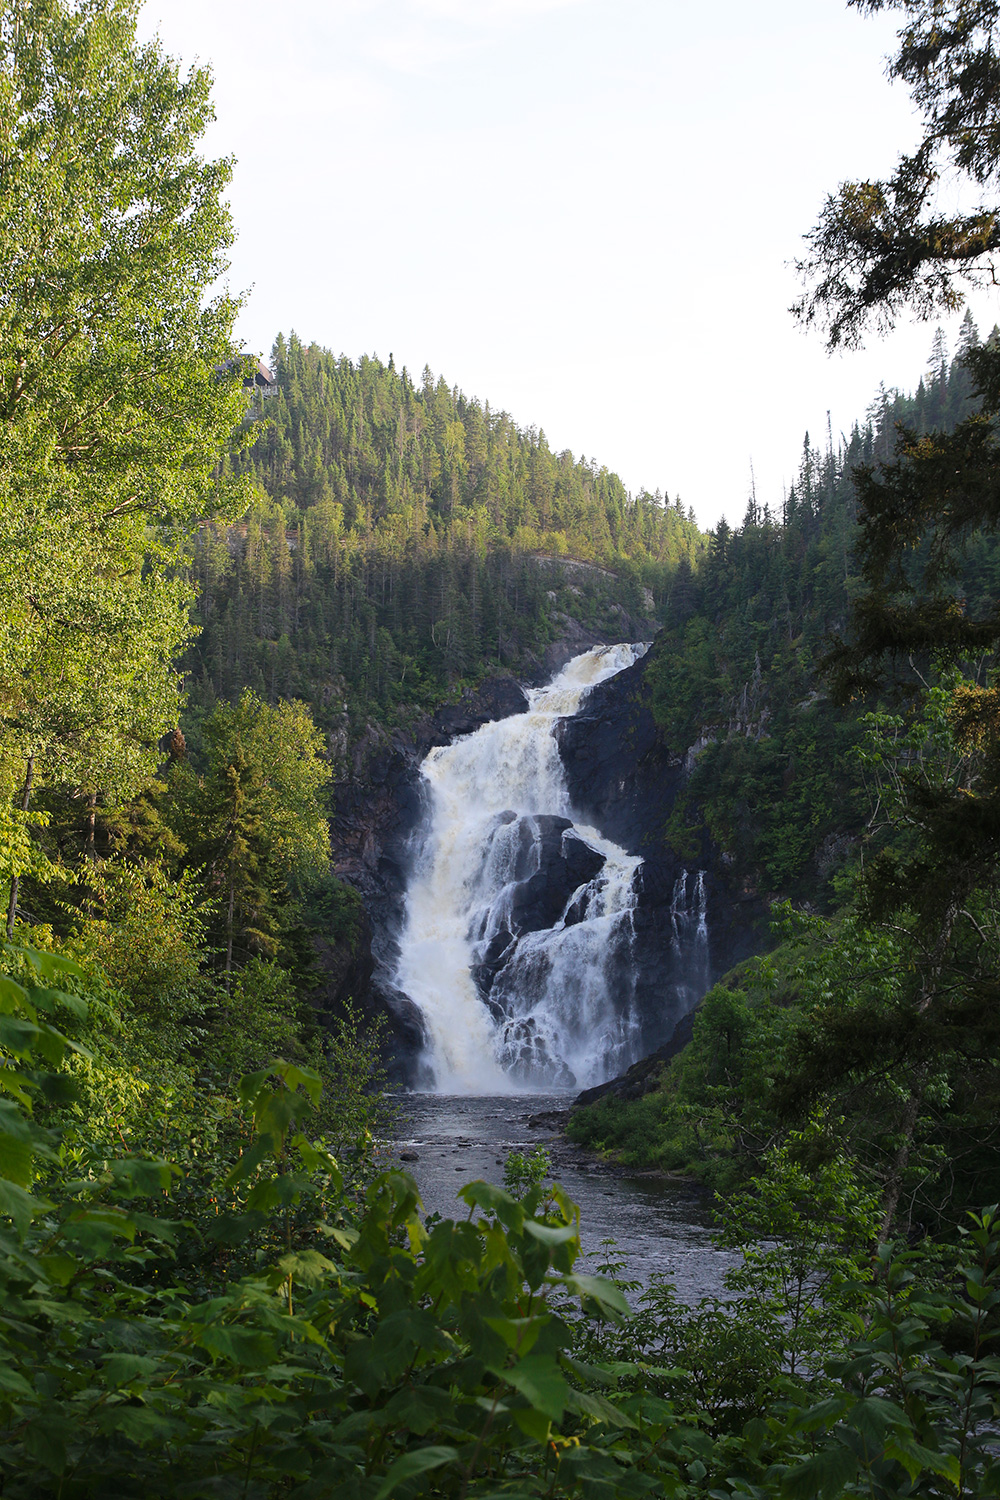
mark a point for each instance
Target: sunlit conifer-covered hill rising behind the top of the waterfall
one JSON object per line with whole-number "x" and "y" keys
{"x": 406, "y": 539}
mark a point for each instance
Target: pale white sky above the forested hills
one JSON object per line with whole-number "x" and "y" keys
{"x": 584, "y": 212}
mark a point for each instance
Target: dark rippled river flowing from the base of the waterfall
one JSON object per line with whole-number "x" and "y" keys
{"x": 659, "y": 1229}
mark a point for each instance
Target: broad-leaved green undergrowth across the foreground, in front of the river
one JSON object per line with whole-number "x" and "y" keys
{"x": 365, "y": 1352}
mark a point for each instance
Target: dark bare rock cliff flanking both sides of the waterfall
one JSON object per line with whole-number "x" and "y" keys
{"x": 690, "y": 923}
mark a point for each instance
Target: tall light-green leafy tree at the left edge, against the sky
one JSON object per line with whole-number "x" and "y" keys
{"x": 112, "y": 419}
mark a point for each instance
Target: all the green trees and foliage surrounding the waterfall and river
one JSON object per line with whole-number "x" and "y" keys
{"x": 215, "y": 1279}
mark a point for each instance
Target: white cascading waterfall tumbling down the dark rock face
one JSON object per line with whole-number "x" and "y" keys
{"x": 558, "y": 1003}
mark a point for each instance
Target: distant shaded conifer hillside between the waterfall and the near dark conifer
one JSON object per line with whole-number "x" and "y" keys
{"x": 737, "y": 670}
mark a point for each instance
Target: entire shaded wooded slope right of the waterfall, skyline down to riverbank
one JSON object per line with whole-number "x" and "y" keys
{"x": 828, "y": 676}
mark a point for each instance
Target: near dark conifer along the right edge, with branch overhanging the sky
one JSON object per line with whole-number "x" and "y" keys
{"x": 914, "y": 629}
